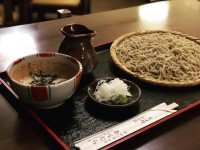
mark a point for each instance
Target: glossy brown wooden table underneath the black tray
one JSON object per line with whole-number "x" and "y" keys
{"x": 182, "y": 132}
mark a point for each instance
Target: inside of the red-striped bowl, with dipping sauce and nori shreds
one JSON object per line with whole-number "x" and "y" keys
{"x": 43, "y": 73}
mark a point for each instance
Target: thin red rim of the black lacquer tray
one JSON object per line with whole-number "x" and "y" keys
{"x": 63, "y": 145}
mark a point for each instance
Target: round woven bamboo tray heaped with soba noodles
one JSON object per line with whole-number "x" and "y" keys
{"x": 132, "y": 50}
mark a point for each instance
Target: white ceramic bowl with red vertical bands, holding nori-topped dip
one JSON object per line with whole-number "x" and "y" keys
{"x": 45, "y": 80}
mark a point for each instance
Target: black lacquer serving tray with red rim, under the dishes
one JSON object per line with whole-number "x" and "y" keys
{"x": 80, "y": 117}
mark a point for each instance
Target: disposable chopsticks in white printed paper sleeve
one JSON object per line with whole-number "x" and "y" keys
{"x": 117, "y": 132}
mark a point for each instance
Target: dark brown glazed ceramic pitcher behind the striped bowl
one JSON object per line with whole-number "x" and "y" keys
{"x": 77, "y": 43}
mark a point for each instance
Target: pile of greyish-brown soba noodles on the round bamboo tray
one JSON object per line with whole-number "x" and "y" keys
{"x": 161, "y": 56}
